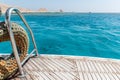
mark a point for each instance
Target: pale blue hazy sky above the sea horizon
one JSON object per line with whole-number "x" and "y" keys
{"x": 68, "y": 5}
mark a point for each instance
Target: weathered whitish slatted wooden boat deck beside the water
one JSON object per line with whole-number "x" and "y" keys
{"x": 71, "y": 68}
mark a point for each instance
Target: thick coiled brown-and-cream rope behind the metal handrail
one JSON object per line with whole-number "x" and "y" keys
{"x": 9, "y": 66}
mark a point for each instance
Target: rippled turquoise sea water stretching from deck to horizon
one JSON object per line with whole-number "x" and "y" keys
{"x": 78, "y": 34}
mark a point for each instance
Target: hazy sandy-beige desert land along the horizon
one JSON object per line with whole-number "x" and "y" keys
{"x": 4, "y": 7}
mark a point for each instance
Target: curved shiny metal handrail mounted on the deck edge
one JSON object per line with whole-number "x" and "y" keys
{"x": 8, "y": 23}
